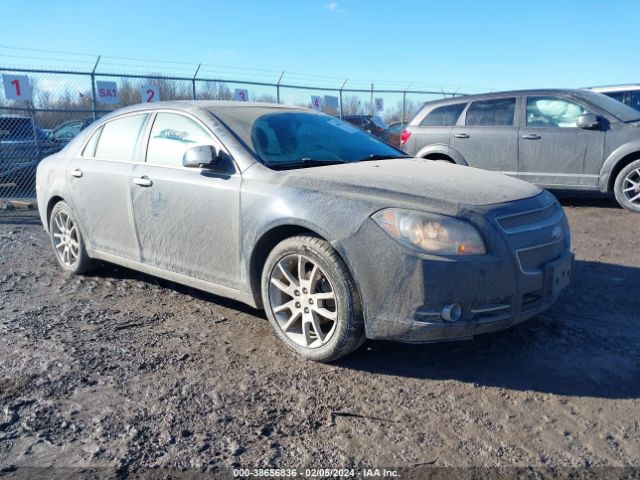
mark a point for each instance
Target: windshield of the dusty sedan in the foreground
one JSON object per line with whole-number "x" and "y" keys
{"x": 287, "y": 137}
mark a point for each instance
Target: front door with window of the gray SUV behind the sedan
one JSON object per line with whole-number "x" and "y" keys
{"x": 553, "y": 151}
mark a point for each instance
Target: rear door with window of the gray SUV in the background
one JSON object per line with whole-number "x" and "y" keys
{"x": 487, "y": 136}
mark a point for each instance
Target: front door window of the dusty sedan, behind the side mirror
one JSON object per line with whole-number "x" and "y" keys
{"x": 171, "y": 136}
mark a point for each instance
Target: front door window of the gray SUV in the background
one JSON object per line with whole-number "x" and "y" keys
{"x": 553, "y": 112}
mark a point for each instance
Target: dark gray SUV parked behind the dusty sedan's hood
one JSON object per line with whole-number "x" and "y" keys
{"x": 563, "y": 139}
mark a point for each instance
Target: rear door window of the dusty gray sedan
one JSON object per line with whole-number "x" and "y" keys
{"x": 119, "y": 138}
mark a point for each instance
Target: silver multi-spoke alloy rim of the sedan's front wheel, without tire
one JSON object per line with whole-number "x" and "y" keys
{"x": 303, "y": 301}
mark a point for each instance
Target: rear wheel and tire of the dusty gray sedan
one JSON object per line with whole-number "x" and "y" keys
{"x": 66, "y": 239}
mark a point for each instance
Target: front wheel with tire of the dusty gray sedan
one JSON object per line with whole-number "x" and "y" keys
{"x": 306, "y": 289}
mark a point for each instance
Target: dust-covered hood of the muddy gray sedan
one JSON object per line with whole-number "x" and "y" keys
{"x": 416, "y": 181}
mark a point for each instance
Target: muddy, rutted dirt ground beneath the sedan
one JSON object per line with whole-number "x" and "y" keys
{"x": 124, "y": 371}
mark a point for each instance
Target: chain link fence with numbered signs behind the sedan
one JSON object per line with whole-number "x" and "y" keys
{"x": 41, "y": 110}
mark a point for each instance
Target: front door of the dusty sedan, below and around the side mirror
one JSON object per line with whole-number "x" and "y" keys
{"x": 187, "y": 219}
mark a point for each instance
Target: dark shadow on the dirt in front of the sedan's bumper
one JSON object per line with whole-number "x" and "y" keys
{"x": 587, "y": 344}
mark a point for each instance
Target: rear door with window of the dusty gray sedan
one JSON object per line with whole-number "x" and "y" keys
{"x": 99, "y": 186}
